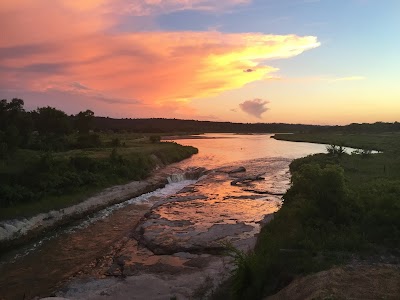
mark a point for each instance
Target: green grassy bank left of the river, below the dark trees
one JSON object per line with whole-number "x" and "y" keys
{"x": 37, "y": 181}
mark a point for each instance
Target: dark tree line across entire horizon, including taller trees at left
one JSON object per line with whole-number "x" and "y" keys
{"x": 47, "y": 128}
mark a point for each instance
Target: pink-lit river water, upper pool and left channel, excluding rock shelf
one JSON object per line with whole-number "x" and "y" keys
{"x": 44, "y": 265}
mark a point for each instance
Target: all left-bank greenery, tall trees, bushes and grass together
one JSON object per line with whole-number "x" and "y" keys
{"x": 50, "y": 160}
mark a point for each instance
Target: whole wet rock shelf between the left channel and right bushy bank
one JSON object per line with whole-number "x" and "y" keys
{"x": 177, "y": 247}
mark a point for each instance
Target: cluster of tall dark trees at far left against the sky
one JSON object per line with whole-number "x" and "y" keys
{"x": 45, "y": 128}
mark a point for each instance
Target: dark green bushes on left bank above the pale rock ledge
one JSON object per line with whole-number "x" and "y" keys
{"x": 51, "y": 175}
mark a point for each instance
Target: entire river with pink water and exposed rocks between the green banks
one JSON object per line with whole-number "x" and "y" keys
{"x": 184, "y": 224}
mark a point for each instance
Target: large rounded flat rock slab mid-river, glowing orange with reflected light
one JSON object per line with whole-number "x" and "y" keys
{"x": 201, "y": 218}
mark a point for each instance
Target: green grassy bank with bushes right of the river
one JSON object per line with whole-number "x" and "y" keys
{"x": 339, "y": 207}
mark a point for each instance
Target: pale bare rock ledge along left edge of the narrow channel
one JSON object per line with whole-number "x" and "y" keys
{"x": 20, "y": 231}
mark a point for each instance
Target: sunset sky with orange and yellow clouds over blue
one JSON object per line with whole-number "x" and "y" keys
{"x": 291, "y": 61}
